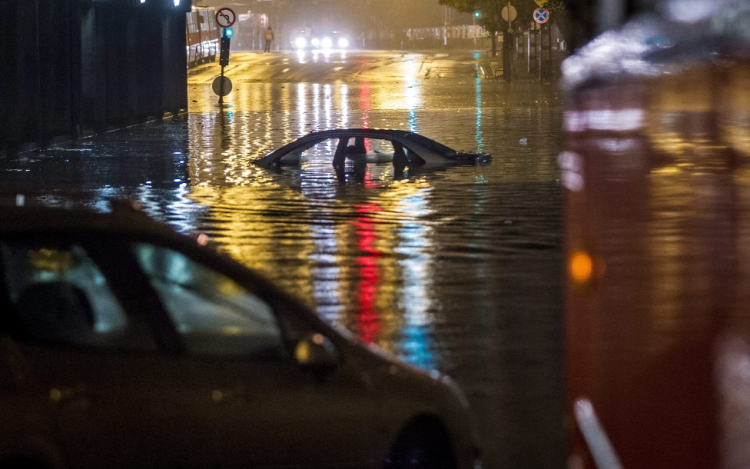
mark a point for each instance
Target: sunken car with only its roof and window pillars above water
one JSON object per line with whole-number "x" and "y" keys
{"x": 401, "y": 147}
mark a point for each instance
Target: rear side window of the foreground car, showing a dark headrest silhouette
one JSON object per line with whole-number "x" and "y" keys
{"x": 59, "y": 294}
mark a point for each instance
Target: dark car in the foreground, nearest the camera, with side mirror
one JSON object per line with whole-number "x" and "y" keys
{"x": 125, "y": 344}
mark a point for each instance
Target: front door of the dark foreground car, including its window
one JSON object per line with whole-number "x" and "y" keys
{"x": 266, "y": 410}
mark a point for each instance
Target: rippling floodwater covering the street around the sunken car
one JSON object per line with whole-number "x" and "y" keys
{"x": 455, "y": 269}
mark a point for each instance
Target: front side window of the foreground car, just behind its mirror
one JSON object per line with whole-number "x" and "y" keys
{"x": 214, "y": 314}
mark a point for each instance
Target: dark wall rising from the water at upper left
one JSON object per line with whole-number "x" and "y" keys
{"x": 69, "y": 68}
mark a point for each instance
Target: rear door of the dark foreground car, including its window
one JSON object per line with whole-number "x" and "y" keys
{"x": 95, "y": 363}
